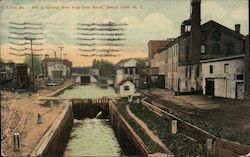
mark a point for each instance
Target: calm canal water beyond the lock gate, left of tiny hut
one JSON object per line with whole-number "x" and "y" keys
{"x": 90, "y": 91}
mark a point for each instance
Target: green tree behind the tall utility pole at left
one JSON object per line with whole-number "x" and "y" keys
{"x": 37, "y": 64}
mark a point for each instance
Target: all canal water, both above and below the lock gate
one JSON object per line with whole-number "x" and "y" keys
{"x": 91, "y": 137}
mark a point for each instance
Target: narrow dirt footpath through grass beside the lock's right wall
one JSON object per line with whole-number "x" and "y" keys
{"x": 147, "y": 130}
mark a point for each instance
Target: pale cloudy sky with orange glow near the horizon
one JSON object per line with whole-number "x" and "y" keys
{"x": 146, "y": 19}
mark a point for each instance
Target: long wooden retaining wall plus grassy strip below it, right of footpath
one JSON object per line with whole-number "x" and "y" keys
{"x": 200, "y": 140}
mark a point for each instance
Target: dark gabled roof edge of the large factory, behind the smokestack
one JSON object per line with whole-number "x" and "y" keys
{"x": 209, "y": 23}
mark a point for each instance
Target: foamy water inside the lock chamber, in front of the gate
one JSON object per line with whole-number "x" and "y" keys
{"x": 92, "y": 137}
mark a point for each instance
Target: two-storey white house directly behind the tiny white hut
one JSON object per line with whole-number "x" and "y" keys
{"x": 127, "y": 69}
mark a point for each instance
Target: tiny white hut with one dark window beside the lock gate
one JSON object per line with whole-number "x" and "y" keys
{"x": 126, "y": 87}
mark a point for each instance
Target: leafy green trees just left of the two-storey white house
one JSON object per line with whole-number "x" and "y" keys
{"x": 105, "y": 67}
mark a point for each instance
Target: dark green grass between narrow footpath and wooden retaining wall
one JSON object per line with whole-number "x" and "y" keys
{"x": 179, "y": 144}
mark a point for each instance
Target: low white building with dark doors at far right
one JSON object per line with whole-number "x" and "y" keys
{"x": 223, "y": 77}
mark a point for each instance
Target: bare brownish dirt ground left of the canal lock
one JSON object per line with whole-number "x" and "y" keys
{"x": 19, "y": 114}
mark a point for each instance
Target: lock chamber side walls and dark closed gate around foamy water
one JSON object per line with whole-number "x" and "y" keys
{"x": 53, "y": 141}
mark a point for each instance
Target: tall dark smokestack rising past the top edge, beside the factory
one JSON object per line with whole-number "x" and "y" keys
{"x": 195, "y": 38}
